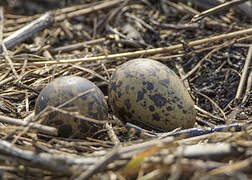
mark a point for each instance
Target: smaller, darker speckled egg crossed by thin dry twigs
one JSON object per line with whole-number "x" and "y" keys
{"x": 91, "y": 104}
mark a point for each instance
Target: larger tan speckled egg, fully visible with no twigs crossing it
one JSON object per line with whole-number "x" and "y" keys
{"x": 149, "y": 94}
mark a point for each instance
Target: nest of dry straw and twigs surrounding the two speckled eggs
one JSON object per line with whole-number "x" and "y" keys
{"x": 210, "y": 50}
